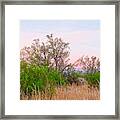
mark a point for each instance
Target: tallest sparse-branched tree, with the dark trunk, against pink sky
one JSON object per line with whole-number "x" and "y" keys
{"x": 59, "y": 52}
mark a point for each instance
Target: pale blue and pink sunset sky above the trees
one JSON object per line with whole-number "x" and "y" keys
{"x": 83, "y": 35}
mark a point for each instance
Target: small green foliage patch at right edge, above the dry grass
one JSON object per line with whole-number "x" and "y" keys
{"x": 93, "y": 79}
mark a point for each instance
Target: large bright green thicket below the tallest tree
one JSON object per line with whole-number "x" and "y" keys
{"x": 39, "y": 78}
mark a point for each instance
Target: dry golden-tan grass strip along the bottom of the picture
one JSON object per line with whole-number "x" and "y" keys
{"x": 70, "y": 92}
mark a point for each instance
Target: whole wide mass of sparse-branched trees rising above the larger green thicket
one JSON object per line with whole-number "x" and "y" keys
{"x": 54, "y": 53}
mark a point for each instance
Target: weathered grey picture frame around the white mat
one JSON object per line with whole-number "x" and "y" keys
{"x": 55, "y": 2}
